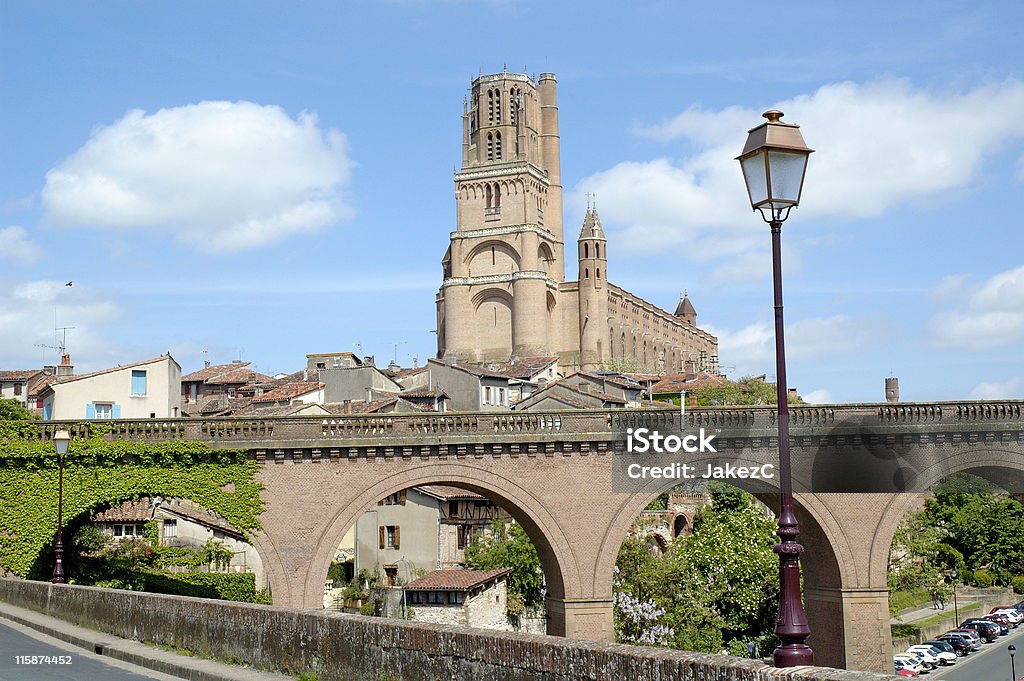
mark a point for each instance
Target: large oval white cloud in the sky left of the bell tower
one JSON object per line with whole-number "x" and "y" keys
{"x": 224, "y": 177}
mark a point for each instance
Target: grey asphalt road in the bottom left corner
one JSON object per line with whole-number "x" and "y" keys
{"x": 29, "y": 656}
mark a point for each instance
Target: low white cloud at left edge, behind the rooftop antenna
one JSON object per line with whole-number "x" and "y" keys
{"x": 31, "y": 312}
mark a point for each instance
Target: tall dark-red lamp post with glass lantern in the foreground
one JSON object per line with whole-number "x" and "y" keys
{"x": 774, "y": 162}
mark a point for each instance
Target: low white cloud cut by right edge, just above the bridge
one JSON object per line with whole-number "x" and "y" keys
{"x": 990, "y": 316}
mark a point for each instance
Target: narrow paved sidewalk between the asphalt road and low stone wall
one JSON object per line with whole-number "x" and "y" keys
{"x": 185, "y": 667}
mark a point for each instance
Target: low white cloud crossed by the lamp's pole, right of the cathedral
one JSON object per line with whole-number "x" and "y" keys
{"x": 752, "y": 350}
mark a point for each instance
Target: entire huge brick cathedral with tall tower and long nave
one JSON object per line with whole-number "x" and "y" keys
{"x": 504, "y": 295}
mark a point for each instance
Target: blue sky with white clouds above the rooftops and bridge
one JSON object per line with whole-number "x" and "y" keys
{"x": 263, "y": 181}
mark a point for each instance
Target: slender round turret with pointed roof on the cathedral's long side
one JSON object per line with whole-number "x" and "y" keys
{"x": 593, "y": 293}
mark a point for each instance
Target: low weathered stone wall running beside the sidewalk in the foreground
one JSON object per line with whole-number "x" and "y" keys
{"x": 340, "y": 647}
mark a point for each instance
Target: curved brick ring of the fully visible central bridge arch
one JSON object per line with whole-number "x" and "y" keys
{"x": 560, "y": 565}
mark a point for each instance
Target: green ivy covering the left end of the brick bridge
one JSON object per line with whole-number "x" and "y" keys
{"x": 100, "y": 473}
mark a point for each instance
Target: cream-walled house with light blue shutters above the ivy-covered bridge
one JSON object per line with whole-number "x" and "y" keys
{"x": 150, "y": 390}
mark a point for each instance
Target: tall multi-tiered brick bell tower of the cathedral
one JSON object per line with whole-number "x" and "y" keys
{"x": 502, "y": 270}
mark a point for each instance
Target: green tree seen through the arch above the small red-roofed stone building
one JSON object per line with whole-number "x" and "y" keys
{"x": 510, "y": 546}
